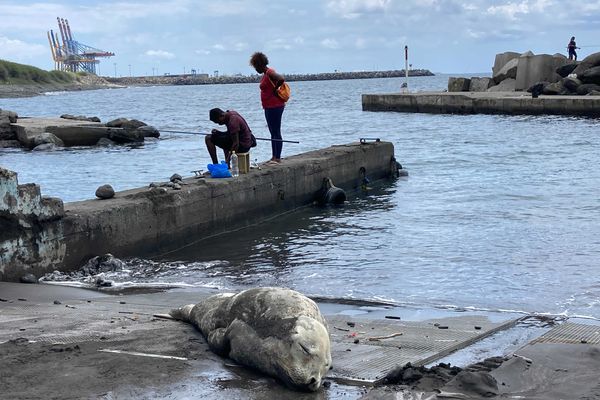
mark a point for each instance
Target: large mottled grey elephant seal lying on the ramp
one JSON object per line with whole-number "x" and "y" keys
{"x": 277, "y": 331}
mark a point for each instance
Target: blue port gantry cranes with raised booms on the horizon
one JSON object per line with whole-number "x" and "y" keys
{"x": 70, "y": 55}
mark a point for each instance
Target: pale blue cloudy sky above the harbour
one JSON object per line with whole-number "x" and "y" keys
{"x": 307, "y": 36}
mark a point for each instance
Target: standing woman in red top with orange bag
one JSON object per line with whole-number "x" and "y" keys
{"x": 272, "y": 104}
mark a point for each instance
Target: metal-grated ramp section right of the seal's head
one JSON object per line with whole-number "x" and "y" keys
{"x": 364, "y": 351}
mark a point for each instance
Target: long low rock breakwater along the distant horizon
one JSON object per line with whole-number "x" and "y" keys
{"x": 204, "y": 79}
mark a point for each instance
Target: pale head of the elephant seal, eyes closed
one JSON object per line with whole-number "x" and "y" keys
{"x": 309, "y": 355}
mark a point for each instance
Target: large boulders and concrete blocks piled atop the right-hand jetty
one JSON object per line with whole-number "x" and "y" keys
{"x": 537, "y": 74}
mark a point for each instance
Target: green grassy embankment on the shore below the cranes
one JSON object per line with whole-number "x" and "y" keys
{"x": 21, "y": 74}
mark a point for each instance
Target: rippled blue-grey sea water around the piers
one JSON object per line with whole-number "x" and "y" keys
{"x": 498, "y": 213}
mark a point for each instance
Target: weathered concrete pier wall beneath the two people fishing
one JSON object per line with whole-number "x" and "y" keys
{"x": 149, "y": 222}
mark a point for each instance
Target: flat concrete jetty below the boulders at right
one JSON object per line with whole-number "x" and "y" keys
{"x": 511, "y": 103}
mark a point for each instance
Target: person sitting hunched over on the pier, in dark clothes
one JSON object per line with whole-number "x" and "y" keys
{"x": 238, "y": 137}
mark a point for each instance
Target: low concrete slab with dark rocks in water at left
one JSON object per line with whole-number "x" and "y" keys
{"x": 43, "y": 134}
